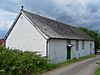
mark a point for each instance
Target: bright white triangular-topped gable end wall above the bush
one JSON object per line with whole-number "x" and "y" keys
{"x": 25, "y": 37}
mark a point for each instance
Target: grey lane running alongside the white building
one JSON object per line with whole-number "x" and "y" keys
{"x": 86, "y": 67}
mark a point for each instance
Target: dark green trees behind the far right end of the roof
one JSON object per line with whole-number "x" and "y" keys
{"x": 94, "y": 34}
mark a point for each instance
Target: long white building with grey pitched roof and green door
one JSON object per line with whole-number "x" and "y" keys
{"x": 58, "y": 41}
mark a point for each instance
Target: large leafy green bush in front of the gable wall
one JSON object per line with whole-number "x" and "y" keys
{"x": 15, "y": 62}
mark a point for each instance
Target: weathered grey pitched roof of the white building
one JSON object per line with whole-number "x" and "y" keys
{"x": 54, "y": 29}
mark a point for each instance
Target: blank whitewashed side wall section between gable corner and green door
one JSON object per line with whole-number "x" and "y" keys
{"x": 57, "y": 50}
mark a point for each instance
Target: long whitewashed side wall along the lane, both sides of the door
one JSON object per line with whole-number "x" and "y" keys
{"x": 58, "y": 50}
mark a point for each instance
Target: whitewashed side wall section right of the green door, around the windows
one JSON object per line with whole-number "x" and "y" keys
{"x": 83, "y": 52}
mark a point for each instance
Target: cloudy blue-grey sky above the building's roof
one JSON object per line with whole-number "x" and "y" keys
{"x": 75, "y": 12}
